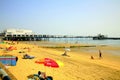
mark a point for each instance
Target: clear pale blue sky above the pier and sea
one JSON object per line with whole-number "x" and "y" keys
{"x": 62, "y": 17}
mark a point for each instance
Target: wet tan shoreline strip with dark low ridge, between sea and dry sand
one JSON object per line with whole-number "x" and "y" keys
{"x": 56, "y": 45}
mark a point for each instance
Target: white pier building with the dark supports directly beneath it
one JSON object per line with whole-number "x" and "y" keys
{"x": 20, "y": 35}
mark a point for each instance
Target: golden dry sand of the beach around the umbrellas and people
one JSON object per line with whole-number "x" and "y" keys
{"x": 78, "y": 66}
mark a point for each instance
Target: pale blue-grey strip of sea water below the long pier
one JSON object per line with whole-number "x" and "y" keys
{"x": 86, "y": 41}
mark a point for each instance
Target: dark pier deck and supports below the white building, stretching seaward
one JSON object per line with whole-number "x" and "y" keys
{"x": 36, "y": 37}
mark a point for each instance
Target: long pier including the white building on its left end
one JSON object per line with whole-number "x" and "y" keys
{"x": 28, "y": 35}
